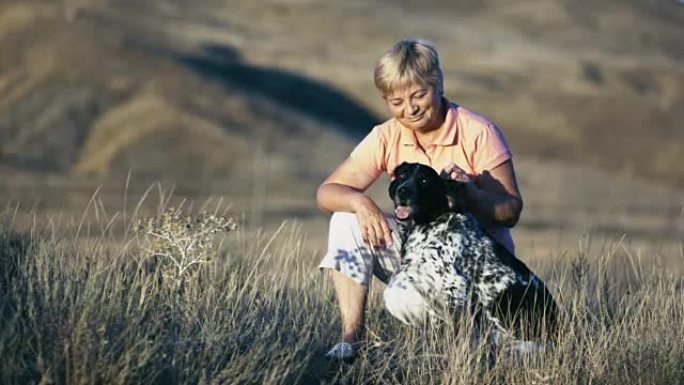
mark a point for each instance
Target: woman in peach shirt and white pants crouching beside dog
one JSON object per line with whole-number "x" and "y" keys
{"x": 425, "y": 128}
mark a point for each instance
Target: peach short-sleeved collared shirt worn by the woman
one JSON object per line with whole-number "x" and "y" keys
{"x": 467, "y": 139}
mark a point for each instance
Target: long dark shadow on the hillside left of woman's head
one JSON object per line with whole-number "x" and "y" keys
{"x": 313, "y": 98}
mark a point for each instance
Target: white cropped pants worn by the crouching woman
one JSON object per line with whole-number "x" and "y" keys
{"x": 349, "y": 255}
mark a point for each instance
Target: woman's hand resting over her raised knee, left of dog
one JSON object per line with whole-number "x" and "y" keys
{"x": 375, "y": 230}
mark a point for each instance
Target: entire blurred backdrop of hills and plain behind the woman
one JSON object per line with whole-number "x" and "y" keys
{"x": 257, "y": 101}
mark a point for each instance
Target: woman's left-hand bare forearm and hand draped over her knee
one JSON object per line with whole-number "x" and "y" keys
{"x": 344, "y": 190}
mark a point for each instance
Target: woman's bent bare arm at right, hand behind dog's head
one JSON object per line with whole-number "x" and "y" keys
{"x": 495, "y": 200}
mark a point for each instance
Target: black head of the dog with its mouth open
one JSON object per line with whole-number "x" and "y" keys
{"x": 420, "y": 195}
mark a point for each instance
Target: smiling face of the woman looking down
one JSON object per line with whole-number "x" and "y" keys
{"x": 416, "y": 107}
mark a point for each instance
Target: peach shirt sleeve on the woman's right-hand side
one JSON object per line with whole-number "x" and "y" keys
{"x": 491, "y": 149}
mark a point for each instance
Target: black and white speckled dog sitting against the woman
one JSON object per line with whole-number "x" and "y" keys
{"x": 448, "y": 258}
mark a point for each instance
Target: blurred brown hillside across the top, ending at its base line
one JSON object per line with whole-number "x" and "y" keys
{"x": 189, "y": 89}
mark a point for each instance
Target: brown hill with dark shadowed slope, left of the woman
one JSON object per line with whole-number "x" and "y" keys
{"x": 101, "y": 94}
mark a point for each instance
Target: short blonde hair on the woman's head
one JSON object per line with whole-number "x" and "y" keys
{"x": 410, "y": 61}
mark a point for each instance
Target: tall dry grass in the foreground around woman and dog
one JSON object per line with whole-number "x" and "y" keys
{"x": 91, "y": 304}
